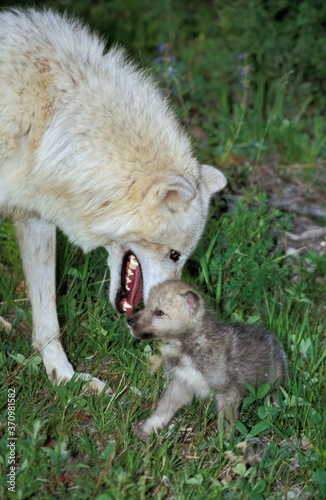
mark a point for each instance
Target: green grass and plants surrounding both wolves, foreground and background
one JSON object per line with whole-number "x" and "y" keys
{"x": 72, "y": 443}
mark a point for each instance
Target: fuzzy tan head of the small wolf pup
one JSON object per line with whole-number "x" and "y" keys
{"x": 173, "y": 311}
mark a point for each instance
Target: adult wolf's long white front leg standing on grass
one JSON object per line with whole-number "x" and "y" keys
{"x": 37, "y": 240}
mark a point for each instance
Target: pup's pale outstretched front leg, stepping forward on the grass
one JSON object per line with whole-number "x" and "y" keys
{"x": 177, "y": 395}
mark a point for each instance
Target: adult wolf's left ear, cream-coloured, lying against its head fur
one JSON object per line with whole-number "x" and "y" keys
{"x": 170, "y": 189}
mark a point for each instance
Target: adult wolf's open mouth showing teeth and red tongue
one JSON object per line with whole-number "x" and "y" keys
{"x": 131, "y": 290}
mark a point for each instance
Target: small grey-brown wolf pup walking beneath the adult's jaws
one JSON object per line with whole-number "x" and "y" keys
{"x": 202, "y": 355}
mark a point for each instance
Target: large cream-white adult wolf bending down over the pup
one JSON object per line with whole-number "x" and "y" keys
{"x": 89, "y": 145}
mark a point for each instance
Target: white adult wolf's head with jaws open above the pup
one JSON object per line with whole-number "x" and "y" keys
{"x": 169, "y": 225}
